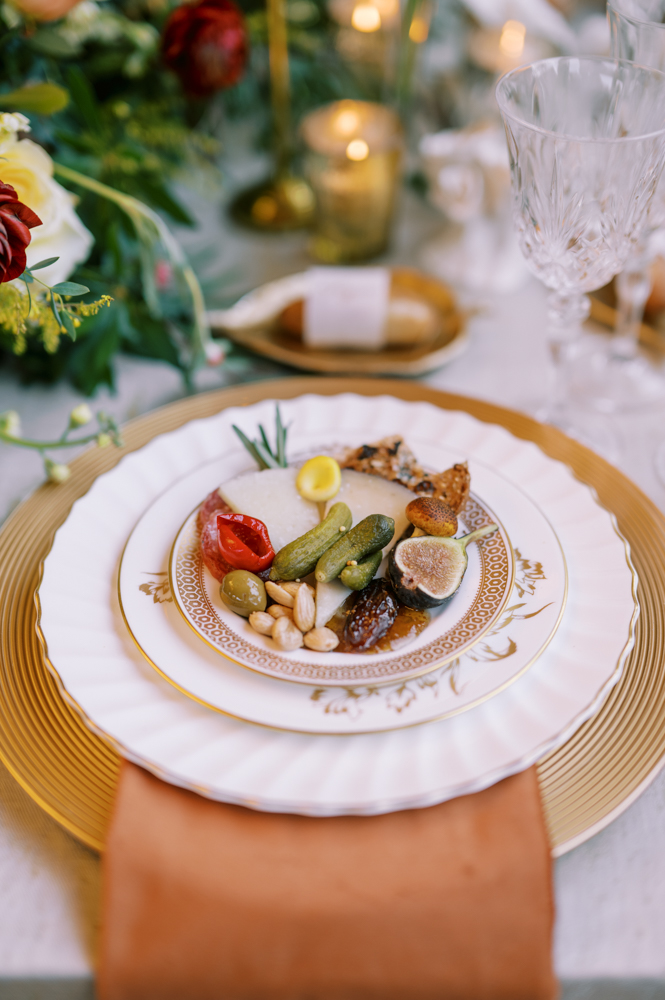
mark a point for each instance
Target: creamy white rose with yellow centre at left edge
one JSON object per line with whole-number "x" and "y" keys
{"x": 29, "y": 169}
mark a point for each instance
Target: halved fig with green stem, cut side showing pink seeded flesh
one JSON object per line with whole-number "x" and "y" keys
{"x": 427, "y": 570}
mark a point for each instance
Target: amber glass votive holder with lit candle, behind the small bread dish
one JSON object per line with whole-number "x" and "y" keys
{"x": 352, "y": 164}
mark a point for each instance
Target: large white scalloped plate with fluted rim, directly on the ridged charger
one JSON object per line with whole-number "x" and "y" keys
{"x": 122, "y": 698}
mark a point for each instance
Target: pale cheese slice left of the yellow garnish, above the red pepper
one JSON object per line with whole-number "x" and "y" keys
{"x": 271, "y": 495}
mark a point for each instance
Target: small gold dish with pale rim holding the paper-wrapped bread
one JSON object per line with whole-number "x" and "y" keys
{"x": 271, "y": 342}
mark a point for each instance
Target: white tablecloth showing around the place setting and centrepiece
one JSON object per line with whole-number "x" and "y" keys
{"x": 610, "y": 892}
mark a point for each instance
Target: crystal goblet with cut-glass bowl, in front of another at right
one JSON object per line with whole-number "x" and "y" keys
{"x": 586, "y": 141}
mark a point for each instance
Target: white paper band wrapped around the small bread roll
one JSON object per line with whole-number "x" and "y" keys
{"x": 347, "y": 307}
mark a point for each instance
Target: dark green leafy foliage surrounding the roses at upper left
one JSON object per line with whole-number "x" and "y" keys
{"x": 102, "y": 104}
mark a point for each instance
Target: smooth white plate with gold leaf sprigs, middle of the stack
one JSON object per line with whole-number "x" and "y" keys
{"x": 518, "y": 636}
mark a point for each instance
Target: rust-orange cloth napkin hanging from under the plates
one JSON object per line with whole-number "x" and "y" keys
{"x": 205, "y": 901}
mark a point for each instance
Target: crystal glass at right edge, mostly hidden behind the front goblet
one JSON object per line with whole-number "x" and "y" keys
{"x": 637, "y": 30}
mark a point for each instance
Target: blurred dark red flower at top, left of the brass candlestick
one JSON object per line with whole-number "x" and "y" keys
{"x": 206, "y": 44}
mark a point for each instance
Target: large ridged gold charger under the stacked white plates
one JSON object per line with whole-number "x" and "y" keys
{"x": 72, "y": 773}
